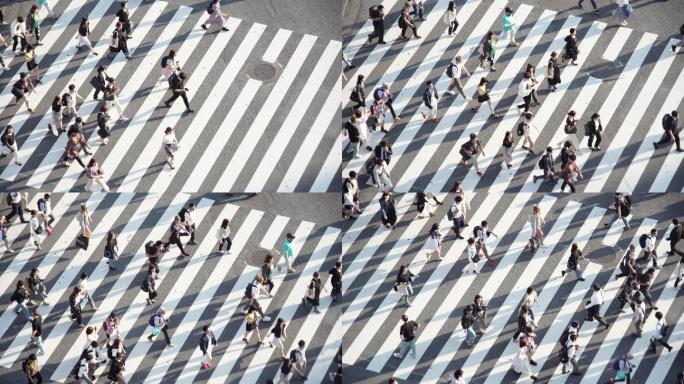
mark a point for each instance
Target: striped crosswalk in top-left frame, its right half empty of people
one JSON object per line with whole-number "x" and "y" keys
{"x": 265, "y": 101}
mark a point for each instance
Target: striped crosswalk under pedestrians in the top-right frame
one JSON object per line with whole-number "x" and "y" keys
{"x": 631, "y": 78}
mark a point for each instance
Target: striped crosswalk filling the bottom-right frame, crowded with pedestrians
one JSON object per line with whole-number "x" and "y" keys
{"x": 372, "y": 254}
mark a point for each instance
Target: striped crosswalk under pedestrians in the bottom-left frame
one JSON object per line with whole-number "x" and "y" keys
{"x": 204, "y": 289}
